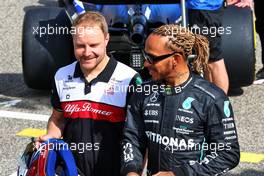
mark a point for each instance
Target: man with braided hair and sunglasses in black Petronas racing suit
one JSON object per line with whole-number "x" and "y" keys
{"x": 185, "y": 123}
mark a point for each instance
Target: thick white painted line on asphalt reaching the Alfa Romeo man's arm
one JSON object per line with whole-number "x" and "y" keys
{"x": 23, "y": 115}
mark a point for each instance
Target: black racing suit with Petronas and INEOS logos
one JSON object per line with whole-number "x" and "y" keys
{"x": 189, "y": 130}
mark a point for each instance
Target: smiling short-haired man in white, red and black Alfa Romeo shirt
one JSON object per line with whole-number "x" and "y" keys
{"x": 89, "y": 100}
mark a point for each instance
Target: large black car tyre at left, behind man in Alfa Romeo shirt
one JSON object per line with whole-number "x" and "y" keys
{"x": 46, "y": 45}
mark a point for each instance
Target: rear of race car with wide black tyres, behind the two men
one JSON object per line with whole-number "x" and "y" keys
{"x": 43, "y": 55}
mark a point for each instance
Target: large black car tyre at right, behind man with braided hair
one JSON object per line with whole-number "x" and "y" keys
{"x": 239, "y": 46}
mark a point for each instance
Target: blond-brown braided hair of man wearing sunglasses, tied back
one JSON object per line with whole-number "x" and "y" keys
{"x": 190, "y": 43}
